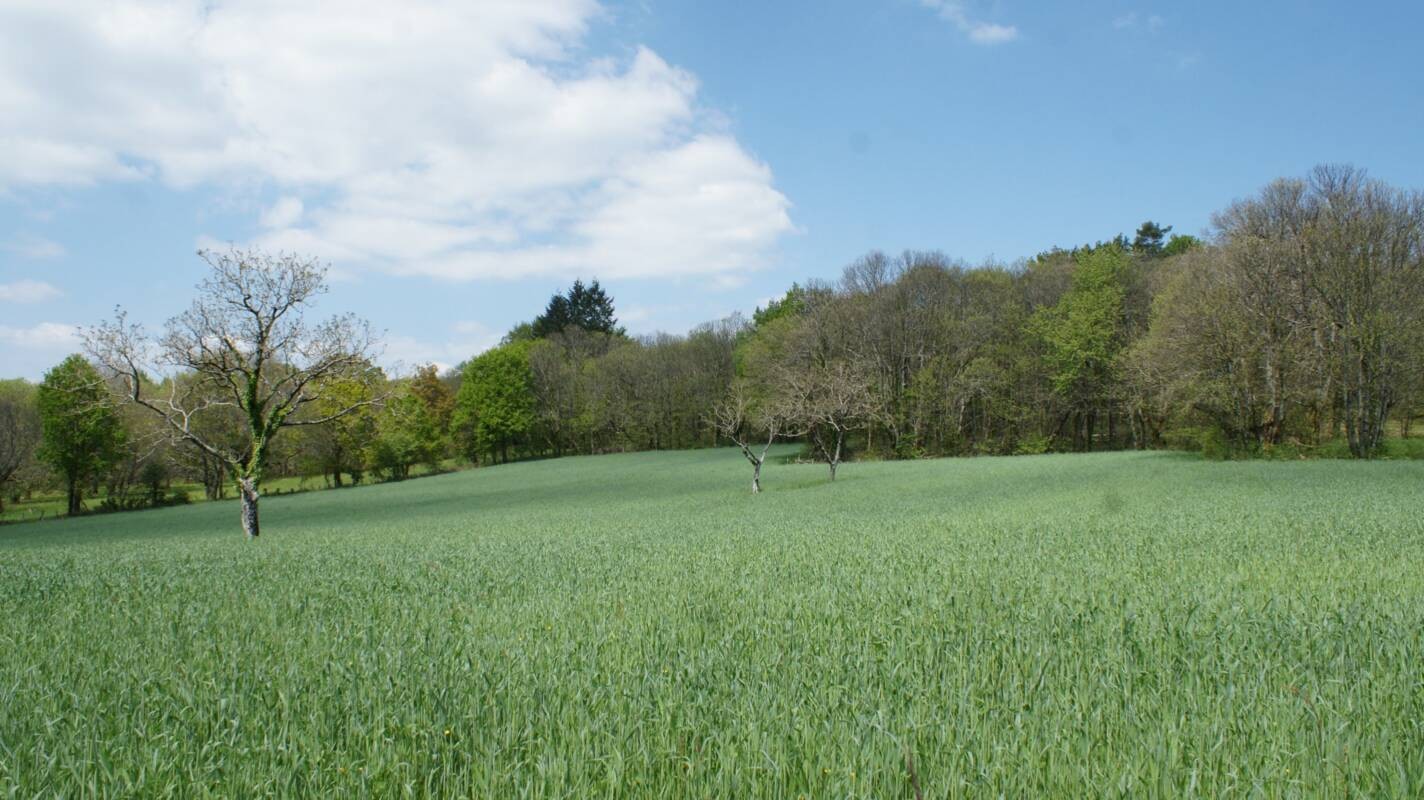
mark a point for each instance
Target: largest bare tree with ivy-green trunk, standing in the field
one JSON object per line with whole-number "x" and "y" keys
{"x": 244, "y": 345}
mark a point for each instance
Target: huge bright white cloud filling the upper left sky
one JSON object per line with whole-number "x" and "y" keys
{"x": 435, "y": 137}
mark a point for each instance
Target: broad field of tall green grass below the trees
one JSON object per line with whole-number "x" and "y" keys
{"x": 640, "y": 626}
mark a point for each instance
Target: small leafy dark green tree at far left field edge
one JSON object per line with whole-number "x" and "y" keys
{"x": 82, "y": 433}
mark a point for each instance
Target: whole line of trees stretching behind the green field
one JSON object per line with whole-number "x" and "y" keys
{"x": 1295, "y": 324}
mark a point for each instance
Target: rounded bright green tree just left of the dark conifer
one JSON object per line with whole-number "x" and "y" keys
{"x": 495, "y": 408}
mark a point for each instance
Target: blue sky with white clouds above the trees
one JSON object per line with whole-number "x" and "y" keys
{"x": 458, "y": 162}
